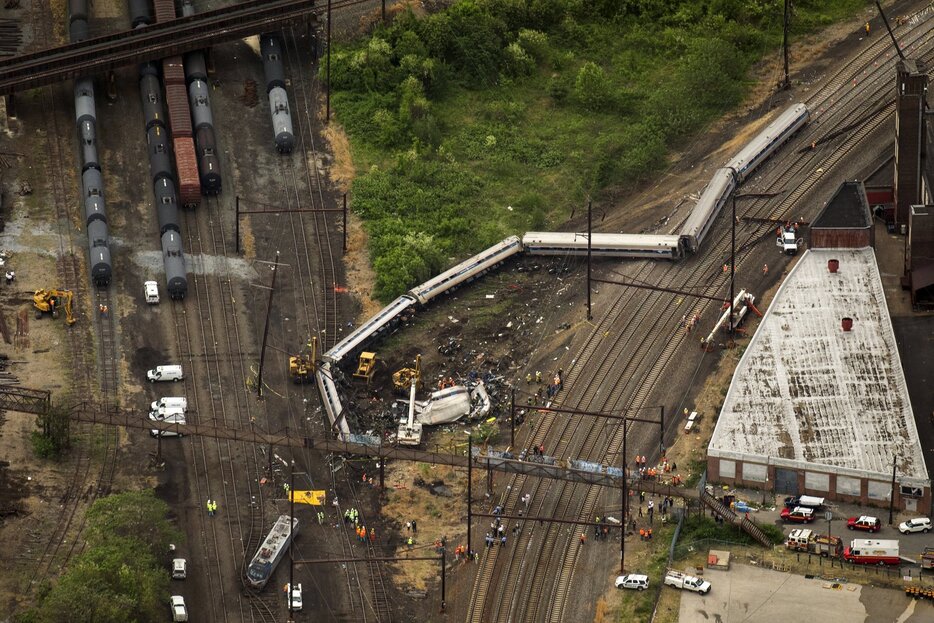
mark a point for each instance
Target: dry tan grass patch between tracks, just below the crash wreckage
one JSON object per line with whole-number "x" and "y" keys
{"x": 435, "y": 515}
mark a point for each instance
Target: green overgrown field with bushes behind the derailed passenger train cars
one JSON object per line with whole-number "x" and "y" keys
{"x": 495, "y": 117}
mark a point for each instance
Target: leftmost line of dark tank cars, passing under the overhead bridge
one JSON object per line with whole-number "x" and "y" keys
{"x": 92, "y": 180}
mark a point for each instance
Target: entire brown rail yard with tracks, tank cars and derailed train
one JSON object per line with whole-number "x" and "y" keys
{"x": 255, "y": 273}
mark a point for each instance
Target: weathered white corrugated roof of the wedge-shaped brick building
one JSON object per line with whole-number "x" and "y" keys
{"x": 808, "y": 392}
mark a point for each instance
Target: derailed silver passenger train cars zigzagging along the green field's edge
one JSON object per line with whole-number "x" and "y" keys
{"x": 637, "y": 246}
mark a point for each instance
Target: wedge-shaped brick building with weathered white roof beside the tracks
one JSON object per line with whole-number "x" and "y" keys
{"x": 818, "y": 403}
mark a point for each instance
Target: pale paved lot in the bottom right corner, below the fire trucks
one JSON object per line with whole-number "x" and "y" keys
{"x": 747, "y": 593}
